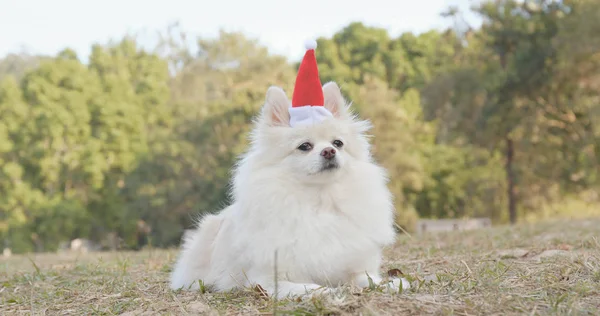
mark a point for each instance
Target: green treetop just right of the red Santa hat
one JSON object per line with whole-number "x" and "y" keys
{"x": 405, "y": 62}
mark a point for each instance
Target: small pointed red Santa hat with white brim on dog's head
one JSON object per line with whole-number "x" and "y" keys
{"x": 307, "y": 101}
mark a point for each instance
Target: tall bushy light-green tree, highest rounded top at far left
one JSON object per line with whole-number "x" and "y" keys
{"x": 132, "y": 120}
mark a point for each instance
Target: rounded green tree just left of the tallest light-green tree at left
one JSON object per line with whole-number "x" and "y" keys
{"x": 59, "y": 157}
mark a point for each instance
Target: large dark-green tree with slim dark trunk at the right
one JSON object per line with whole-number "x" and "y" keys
{"x": 506, "y": 93}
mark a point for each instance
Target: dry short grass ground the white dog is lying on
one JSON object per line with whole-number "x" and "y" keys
{"x": 530, "y": 269}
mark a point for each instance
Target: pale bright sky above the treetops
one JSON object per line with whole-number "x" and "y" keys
{"x": 48, "y": 26}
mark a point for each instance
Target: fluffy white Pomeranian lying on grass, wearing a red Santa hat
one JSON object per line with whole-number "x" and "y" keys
{"x": 308, "y": 190}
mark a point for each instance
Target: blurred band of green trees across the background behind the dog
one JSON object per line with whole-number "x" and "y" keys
{"x": 499, "y": 121}
